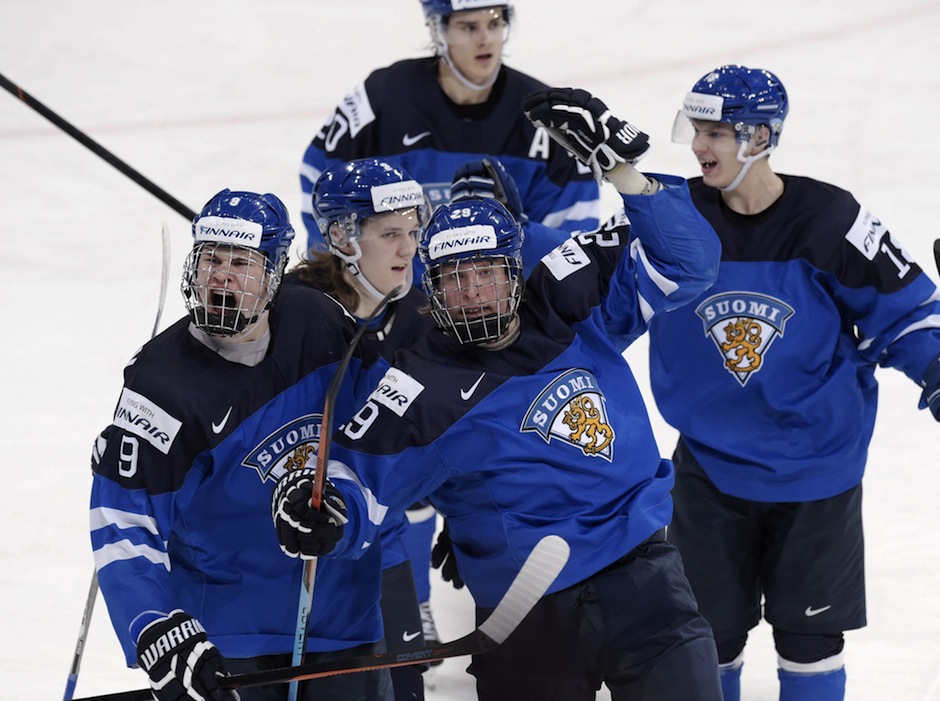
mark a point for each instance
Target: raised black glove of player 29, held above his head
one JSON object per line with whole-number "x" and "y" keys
{"x": 582, "y": 124}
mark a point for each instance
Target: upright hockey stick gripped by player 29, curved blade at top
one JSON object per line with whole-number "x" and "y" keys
{"x": 316, "y": 494}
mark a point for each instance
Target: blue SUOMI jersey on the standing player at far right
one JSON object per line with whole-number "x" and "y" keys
{"x": 769, "y": 375}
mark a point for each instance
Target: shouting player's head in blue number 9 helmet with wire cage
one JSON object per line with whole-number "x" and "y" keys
{"x": 241, "y": 245}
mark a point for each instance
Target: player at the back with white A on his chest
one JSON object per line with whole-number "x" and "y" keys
{"x": 429, "y": 115}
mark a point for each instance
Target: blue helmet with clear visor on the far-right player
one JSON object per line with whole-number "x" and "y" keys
{"x": 746, "y": 98}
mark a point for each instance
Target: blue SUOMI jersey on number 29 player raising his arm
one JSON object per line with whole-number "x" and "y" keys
{"x": 547, "y": 436}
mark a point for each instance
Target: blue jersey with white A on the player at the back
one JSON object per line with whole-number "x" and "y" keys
{"x": 400, "y": 113}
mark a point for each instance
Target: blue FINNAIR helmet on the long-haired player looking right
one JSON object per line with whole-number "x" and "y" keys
{"x": 348, "y": 193}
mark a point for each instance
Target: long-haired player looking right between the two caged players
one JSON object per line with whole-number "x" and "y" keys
{"x": 369, "y": 214}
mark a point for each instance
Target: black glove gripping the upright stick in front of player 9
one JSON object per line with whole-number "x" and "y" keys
{"x": 302, "y": 531}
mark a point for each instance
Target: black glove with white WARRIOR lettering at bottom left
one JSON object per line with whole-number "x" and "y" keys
{"x": 183, "y": 665}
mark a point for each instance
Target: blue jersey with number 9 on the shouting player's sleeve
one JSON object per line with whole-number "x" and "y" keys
{"x": 181, "y": 493}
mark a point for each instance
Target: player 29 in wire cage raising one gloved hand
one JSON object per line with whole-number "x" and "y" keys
{"x": 520, "y": 418}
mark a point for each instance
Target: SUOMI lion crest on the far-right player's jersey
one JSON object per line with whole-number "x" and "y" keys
{"x": 743, "y": 325}
